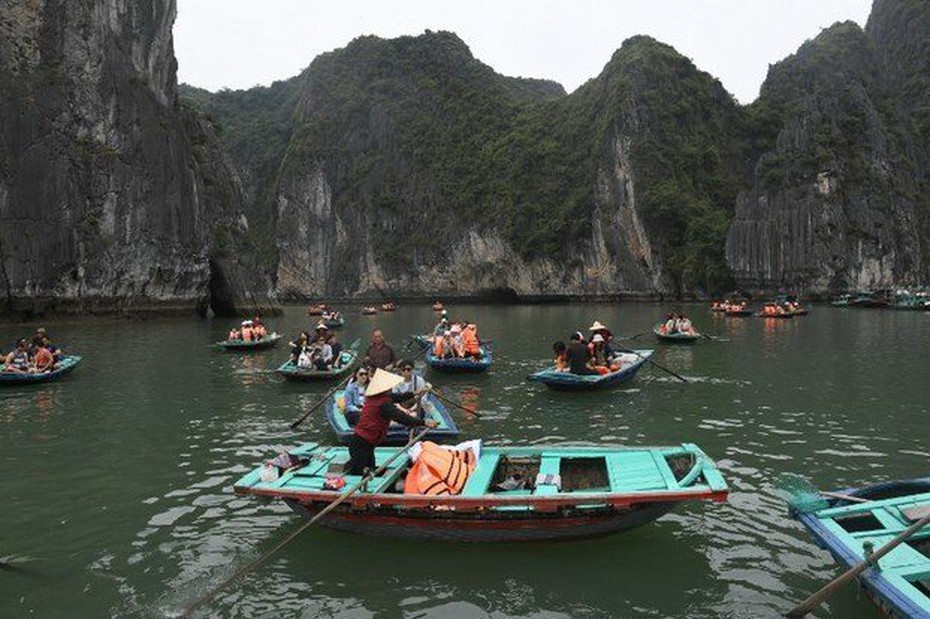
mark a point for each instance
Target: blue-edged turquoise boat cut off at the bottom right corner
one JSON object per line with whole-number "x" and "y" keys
{"x": 900, "y": 584}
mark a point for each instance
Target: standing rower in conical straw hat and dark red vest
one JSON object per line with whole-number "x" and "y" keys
{"x": 379, "y": 411}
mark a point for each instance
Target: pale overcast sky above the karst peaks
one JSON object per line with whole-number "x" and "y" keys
{"x": 243, "y": 43}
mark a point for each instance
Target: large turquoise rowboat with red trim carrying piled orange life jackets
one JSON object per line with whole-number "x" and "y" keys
{"x": 568, "y": 492}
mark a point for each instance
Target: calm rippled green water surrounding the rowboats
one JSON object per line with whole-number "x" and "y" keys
{"x": 117, "y": 480}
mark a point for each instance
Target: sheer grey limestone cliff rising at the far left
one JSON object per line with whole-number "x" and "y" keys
{"x": 112, "y": 196}
